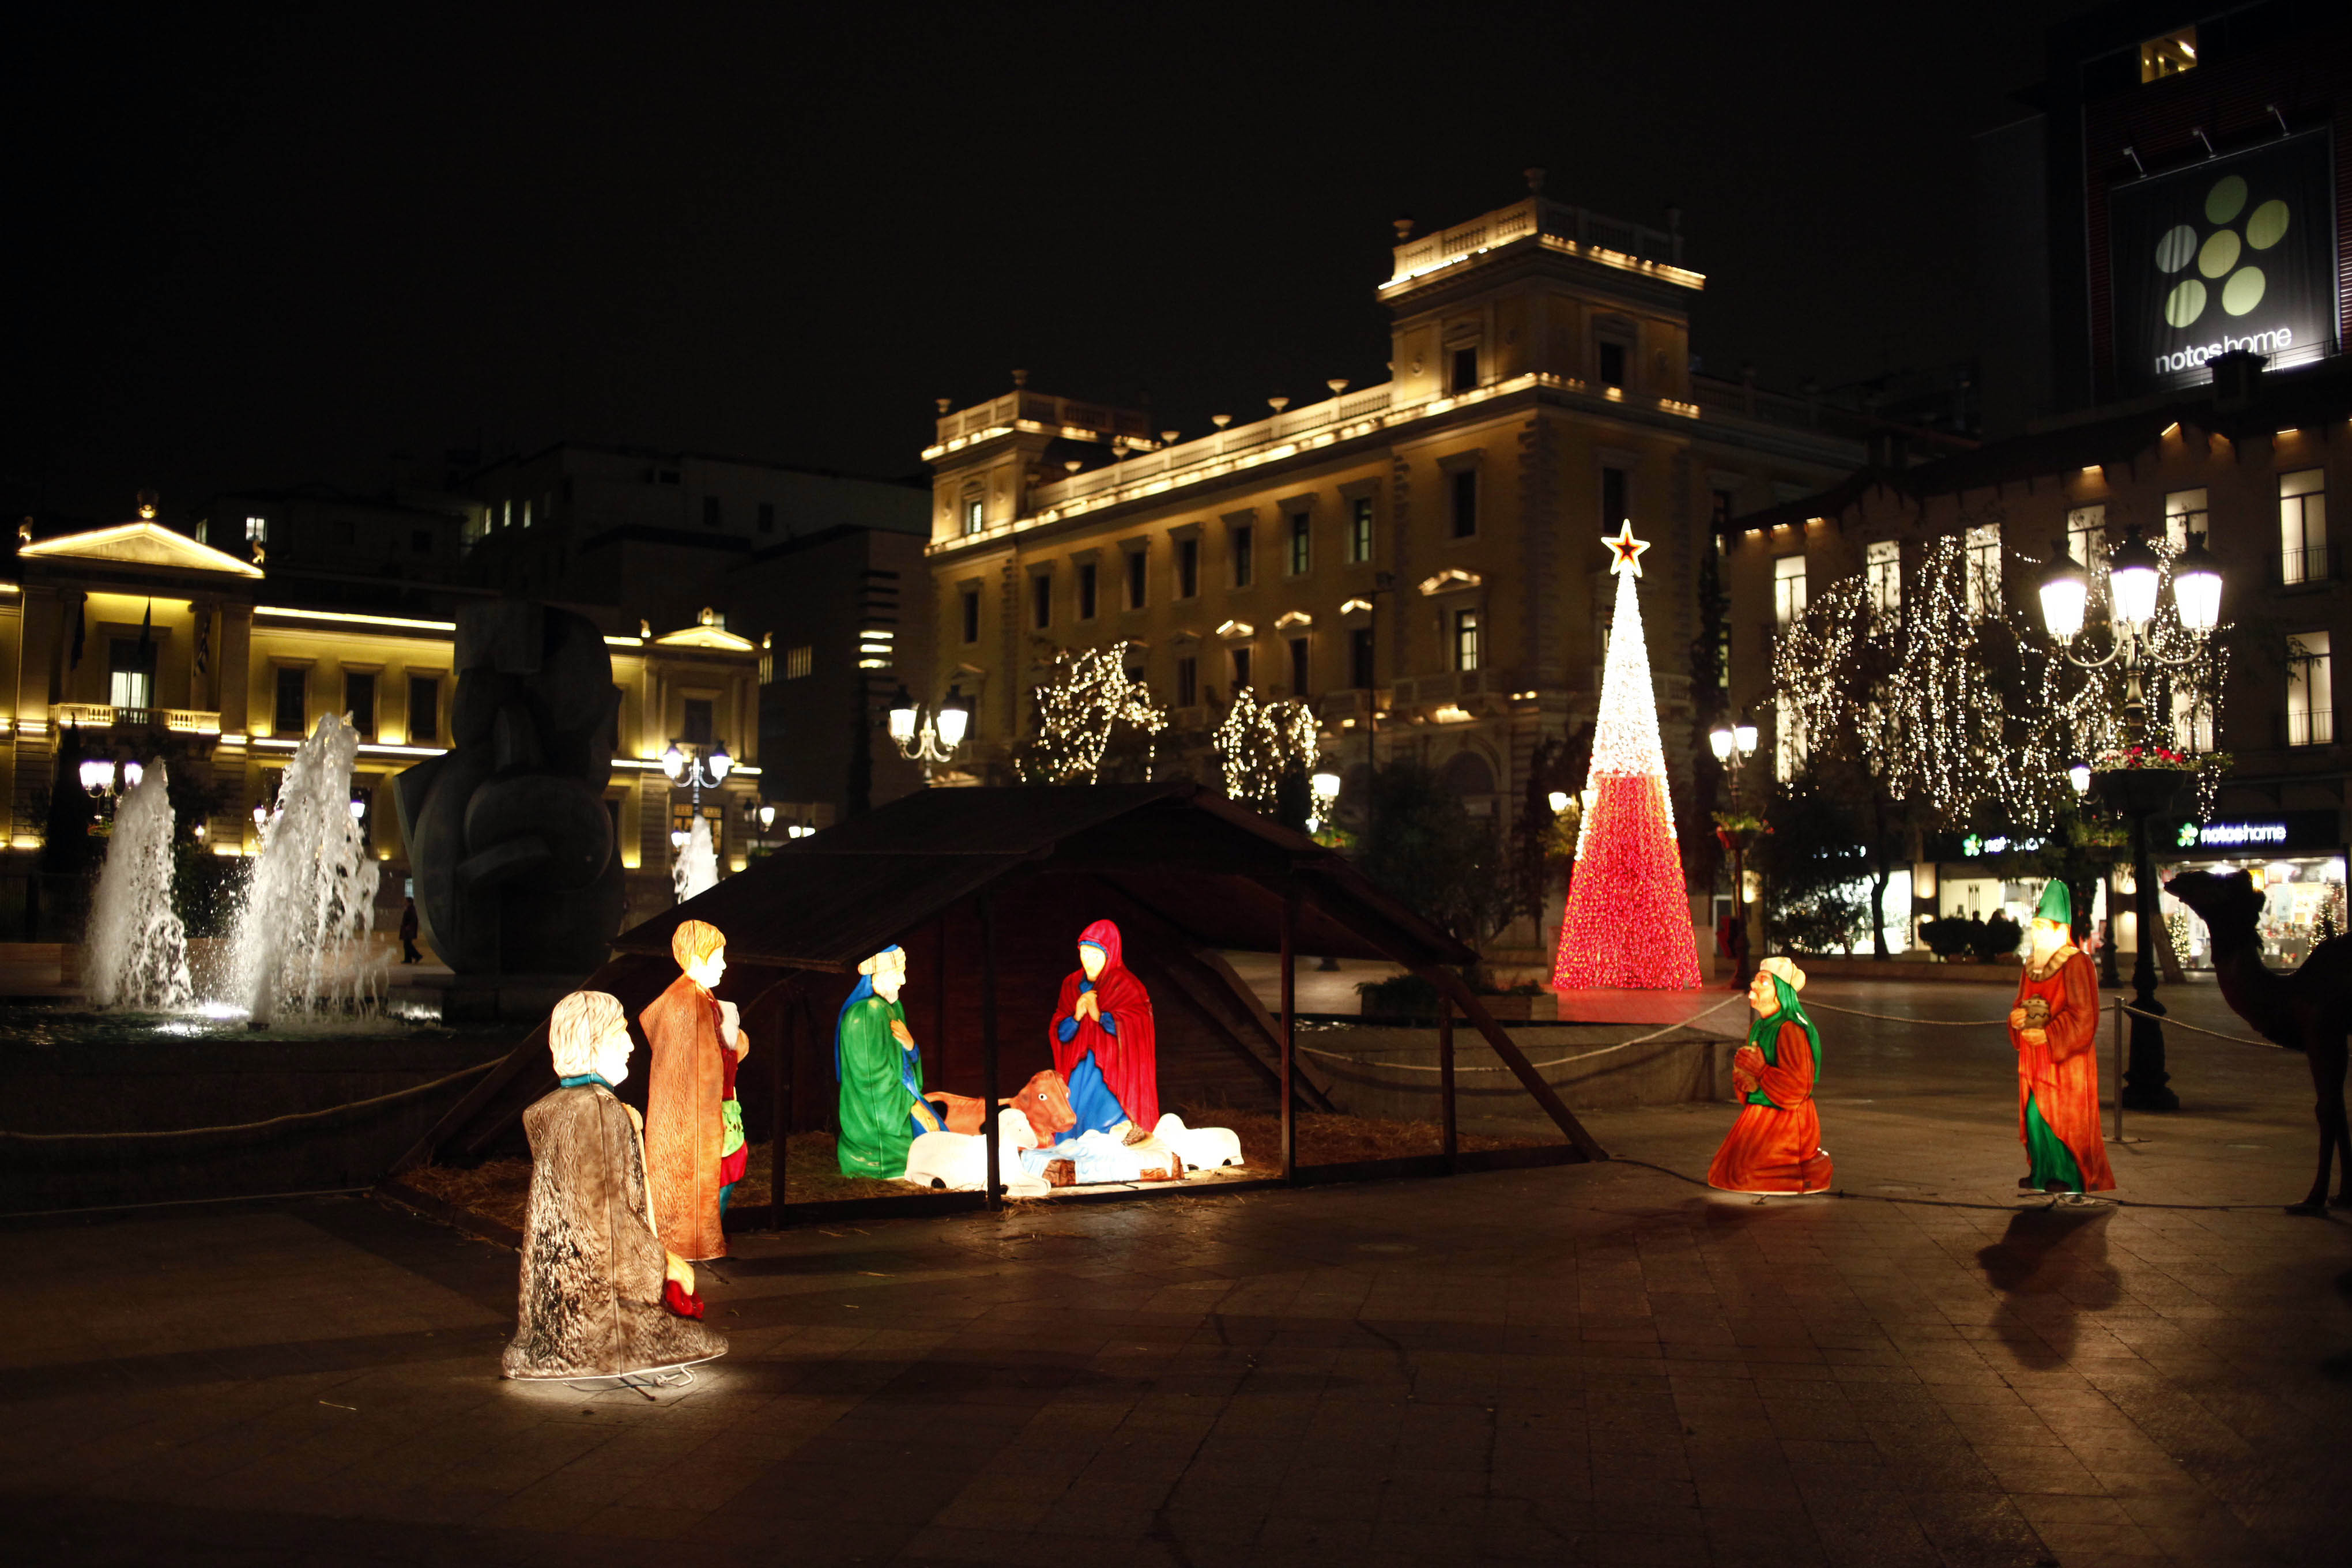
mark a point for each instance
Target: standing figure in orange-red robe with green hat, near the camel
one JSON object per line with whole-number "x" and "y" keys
{"x": 2054, "y": 1028}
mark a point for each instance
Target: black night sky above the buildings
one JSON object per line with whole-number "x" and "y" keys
{"x": 302, "y": 241}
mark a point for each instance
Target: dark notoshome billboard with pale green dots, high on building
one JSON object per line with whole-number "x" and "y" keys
{"x": 2233, "y": 253}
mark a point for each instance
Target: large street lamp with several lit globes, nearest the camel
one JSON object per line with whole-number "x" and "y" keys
{"x": 2134, "y": 579}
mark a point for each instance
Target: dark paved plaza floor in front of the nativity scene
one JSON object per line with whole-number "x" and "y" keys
{"x": 1593, "y": 1365}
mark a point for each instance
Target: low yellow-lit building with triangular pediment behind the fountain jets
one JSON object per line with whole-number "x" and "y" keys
{"x": 145, "y": 641}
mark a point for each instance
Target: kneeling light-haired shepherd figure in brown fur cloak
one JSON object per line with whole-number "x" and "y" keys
{"x": 601, "y": 1294}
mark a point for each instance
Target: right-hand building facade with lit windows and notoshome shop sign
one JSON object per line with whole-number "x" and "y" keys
{"x": 2254, "y": 464}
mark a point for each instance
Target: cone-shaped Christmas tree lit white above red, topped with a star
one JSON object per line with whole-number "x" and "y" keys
{"x": 1629, "y": 918}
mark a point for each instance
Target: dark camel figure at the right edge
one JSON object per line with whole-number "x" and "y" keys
{"x": 2304, "y": 1012}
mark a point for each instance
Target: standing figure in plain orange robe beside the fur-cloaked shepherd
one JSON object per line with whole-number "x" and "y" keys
{"x": 693, "y": 1127}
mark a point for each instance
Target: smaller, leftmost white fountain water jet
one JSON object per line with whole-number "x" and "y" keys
{"x": 138, "y": 953}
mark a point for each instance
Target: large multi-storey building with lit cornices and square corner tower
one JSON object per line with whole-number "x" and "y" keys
{"x": 1419, "y": 558}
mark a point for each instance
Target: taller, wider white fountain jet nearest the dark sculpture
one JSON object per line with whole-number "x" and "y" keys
{"x": 312, "y": 902}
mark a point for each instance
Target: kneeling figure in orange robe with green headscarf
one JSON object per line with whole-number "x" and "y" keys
{"x": 1777, "y": 1141}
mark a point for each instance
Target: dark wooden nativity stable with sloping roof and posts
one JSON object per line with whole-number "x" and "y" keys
{"x": 987, "y": 890}
